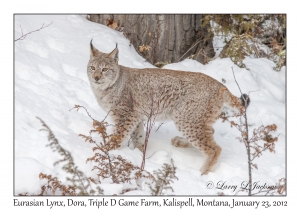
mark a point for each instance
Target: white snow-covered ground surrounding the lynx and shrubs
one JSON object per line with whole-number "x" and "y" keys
{"x": 50, "y": 78}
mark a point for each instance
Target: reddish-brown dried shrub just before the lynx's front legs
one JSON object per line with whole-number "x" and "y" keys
{"x": 109, "y": 165}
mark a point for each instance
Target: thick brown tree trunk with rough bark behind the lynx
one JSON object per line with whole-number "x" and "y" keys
{"x": 164, "y": 38}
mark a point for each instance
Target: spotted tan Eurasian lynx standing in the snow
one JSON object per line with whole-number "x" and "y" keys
{"x": 192, "y": 100}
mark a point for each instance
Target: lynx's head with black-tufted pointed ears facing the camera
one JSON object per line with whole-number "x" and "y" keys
{"x": 103, "y": 69}
